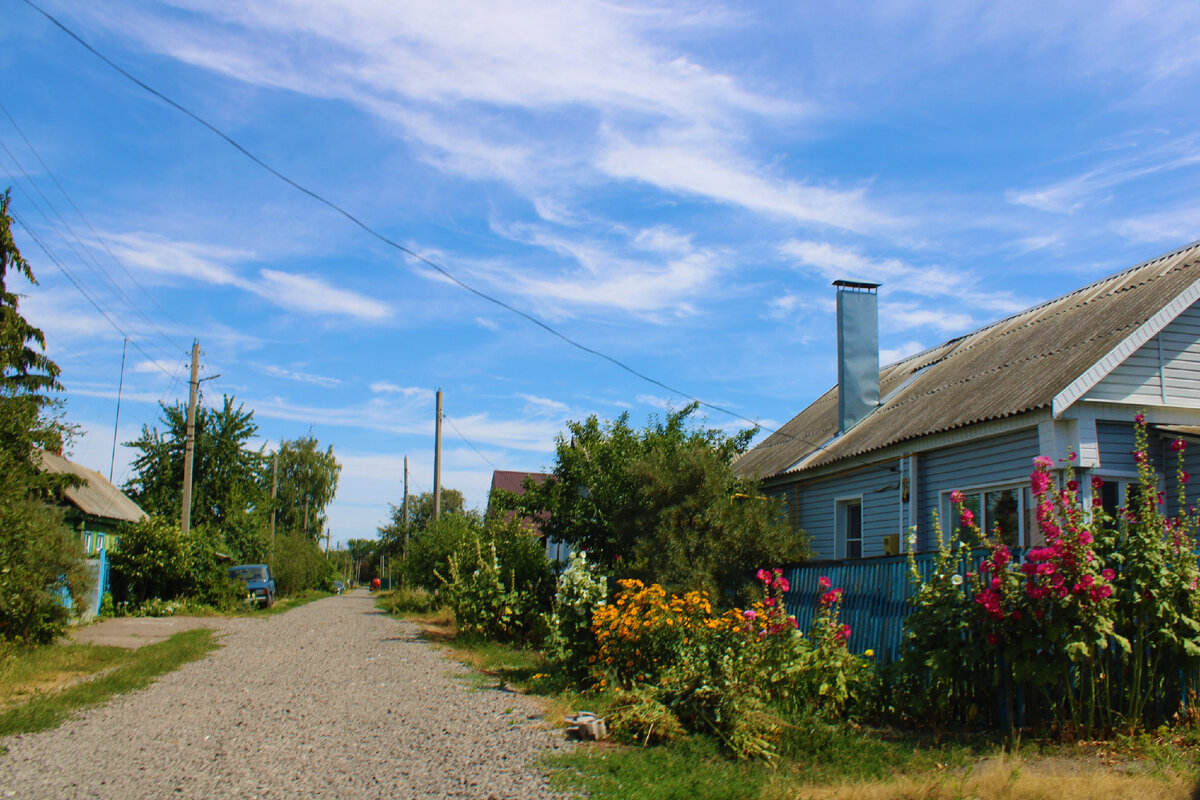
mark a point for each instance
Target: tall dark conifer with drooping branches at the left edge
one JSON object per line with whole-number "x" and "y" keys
{"x": 40, "y": 558}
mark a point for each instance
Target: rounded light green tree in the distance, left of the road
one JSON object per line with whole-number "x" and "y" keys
{"x": 308, "y": 482}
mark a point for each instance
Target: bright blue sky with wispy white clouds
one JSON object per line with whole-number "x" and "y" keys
{"x": 674, "y": 184}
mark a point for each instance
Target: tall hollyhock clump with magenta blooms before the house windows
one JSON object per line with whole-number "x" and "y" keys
{"x": 1097, "y": 629}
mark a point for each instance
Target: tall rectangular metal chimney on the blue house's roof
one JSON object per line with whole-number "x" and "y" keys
{"x": 859, "y": 352}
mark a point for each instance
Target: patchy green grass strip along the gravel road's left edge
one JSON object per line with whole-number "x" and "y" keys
{"x": 117, "y": 670}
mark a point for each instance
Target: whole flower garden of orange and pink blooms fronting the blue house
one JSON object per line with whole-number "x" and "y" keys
{"x": 1091, "y": 634}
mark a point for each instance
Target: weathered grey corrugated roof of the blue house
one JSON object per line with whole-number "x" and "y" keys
{"x": 1010, "y": 368}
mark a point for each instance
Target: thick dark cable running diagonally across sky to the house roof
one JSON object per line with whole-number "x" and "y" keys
{"x": 403, "y": 249}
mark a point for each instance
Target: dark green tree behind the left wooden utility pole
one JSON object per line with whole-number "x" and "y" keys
{"x": 227, "y": 495}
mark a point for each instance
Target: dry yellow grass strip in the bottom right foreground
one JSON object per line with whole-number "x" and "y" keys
{"x": 1001, "y": 780}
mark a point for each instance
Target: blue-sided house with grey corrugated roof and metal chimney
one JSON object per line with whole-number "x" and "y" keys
{"x": 880, "y": 454}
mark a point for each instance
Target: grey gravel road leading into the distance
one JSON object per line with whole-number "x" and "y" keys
{"x": 332, "y": 700}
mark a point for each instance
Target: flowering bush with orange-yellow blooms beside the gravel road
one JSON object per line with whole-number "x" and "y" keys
{"x": 730, "y": 675}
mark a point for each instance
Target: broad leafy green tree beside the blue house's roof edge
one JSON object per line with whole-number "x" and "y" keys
{"x": 662, "y": 504}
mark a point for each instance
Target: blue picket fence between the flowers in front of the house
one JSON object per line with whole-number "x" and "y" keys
{"x": 875, "y": 600}
